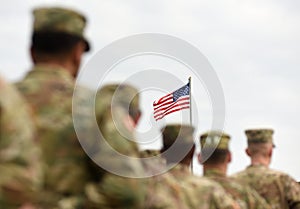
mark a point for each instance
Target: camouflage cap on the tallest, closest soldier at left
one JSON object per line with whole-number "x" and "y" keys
{"x": 55, "y": 19}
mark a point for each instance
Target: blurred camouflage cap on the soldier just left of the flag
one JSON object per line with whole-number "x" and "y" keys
{"x": 123, "y": 95}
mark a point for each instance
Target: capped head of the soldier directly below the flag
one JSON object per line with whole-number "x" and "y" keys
{"x": 178, "y": 143}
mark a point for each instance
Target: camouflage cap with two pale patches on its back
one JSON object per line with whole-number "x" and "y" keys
{"x": 215, "y": 139}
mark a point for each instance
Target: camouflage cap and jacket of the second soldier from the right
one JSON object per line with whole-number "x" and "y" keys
{"x": 245, "y": 196}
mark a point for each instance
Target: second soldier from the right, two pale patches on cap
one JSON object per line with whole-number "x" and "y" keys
{"x": 215, "y": 157}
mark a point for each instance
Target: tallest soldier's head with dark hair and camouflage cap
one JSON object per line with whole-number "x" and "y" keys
{"x": 57, "y": 38}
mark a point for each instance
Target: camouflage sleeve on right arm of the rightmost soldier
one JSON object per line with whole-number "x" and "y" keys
{"x": 291, "y": 191}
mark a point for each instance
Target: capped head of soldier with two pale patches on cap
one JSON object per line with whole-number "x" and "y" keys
{"x": 214, "y": 149}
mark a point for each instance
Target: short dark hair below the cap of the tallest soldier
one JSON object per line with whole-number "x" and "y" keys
{"x": 52, "y": 43}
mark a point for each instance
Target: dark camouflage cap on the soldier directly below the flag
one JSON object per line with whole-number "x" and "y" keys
{"x": 182, "y": 133}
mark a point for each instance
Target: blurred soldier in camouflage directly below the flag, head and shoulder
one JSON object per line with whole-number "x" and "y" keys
{"x": 178, "y": 149}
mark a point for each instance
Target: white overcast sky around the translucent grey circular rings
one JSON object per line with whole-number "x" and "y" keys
{"x": 252, "y": 45}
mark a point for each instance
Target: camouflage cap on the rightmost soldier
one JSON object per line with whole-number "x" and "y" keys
{"x": 259, "y": 135}
